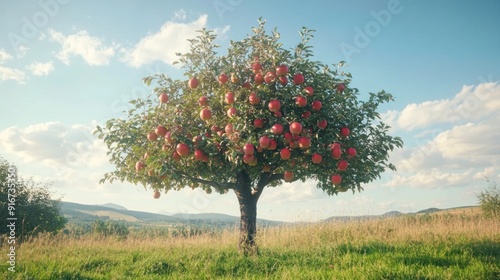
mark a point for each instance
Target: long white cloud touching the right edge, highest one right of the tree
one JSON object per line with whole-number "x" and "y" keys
{"x": 472, "y": 103}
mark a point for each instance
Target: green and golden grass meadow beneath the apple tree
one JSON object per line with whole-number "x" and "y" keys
{"x": 455, "y": 245}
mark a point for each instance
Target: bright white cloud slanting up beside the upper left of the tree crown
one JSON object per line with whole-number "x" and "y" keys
{"x": 162, "y": 46}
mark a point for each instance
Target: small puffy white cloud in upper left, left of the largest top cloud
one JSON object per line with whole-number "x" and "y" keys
{"x": 91, "y": 49}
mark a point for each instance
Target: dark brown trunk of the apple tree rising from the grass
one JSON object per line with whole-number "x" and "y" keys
{"x": 248, "y": 211}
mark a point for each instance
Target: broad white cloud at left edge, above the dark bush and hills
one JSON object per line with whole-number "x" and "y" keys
{"x": 55, "y": 144}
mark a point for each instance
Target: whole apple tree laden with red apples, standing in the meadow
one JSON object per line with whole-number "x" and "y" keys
{"x": 258, "y": 116}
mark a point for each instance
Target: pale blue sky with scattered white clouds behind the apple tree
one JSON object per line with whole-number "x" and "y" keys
{"x": 68, "y": 65}
